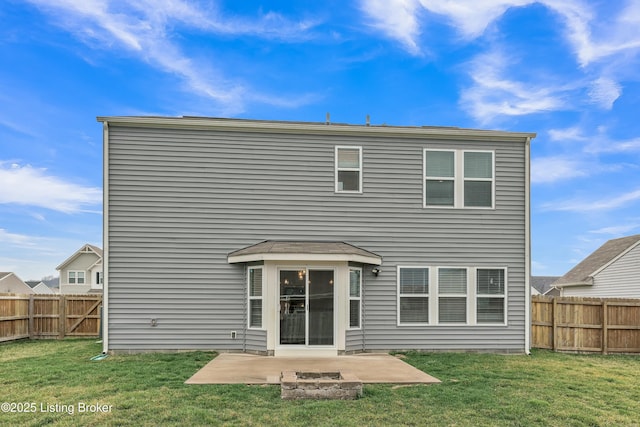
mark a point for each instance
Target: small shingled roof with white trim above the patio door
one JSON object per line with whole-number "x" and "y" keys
{"x": 273, "y": 250}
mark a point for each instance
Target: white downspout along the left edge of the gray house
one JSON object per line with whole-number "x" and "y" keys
{"x": 105, "y": 237}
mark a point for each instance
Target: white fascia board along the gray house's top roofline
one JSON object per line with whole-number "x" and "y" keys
{"x": 316, "y": 128}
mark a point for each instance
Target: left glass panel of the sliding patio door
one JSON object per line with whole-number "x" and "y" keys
{"x": 293, "y": 300}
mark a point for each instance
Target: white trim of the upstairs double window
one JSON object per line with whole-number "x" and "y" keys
{"x": 458, "y": 179}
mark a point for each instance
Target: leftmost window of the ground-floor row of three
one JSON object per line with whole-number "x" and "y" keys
{"x": 413, "y": 295}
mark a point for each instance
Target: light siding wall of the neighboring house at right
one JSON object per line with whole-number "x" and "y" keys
{"x": 620, "y": 279}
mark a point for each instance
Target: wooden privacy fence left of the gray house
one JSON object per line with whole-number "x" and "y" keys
{"x": 49, "y": 316}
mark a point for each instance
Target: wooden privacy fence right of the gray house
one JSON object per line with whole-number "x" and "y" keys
{"x": 604, "y": 325}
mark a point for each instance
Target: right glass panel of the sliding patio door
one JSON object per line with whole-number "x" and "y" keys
{"x": 320, "y": 307}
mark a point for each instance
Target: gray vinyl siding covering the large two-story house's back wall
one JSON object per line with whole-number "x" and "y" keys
{"x": 181, "y": 199}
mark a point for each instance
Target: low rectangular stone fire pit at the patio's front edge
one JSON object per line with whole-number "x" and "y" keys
{"x": 320, "y": 385}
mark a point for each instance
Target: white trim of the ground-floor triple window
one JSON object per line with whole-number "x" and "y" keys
{"x": 471, "y": 296}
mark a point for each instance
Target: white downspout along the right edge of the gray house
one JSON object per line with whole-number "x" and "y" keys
{"x": 527, "y": 268}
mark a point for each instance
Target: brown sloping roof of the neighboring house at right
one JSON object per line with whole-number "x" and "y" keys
{"x": 582, "y": 274}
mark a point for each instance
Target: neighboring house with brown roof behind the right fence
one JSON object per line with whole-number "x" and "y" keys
{"x": 613, "y": 270}
